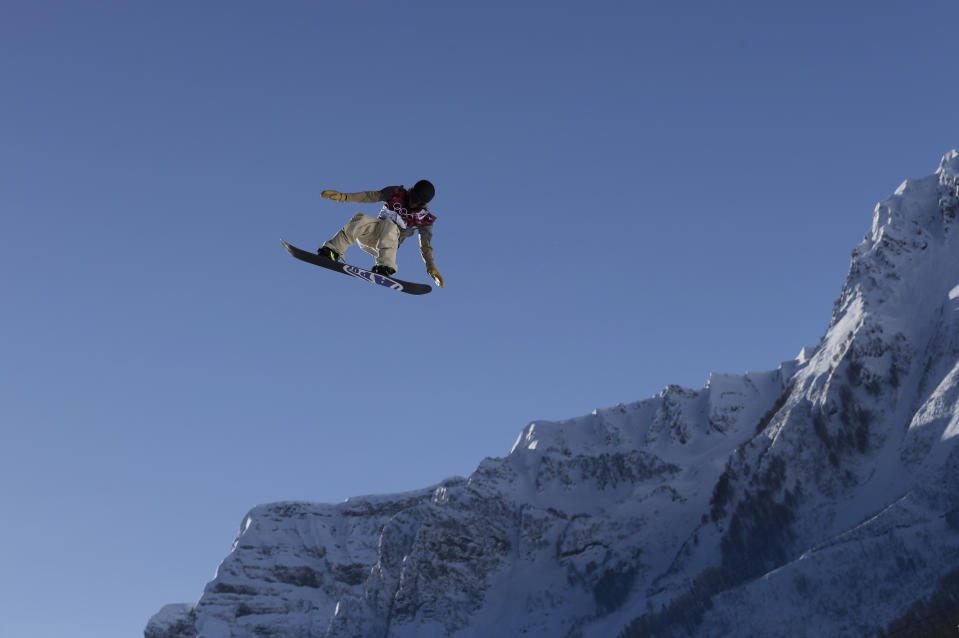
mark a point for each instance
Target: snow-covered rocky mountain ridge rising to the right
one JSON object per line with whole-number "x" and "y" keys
{"x": 817, "y": 499}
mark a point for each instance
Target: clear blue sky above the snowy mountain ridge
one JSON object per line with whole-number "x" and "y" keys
{"x": 630, "y": 194}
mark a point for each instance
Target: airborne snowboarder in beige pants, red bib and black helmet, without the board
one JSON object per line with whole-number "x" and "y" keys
{"x": 403, "y": 213}
